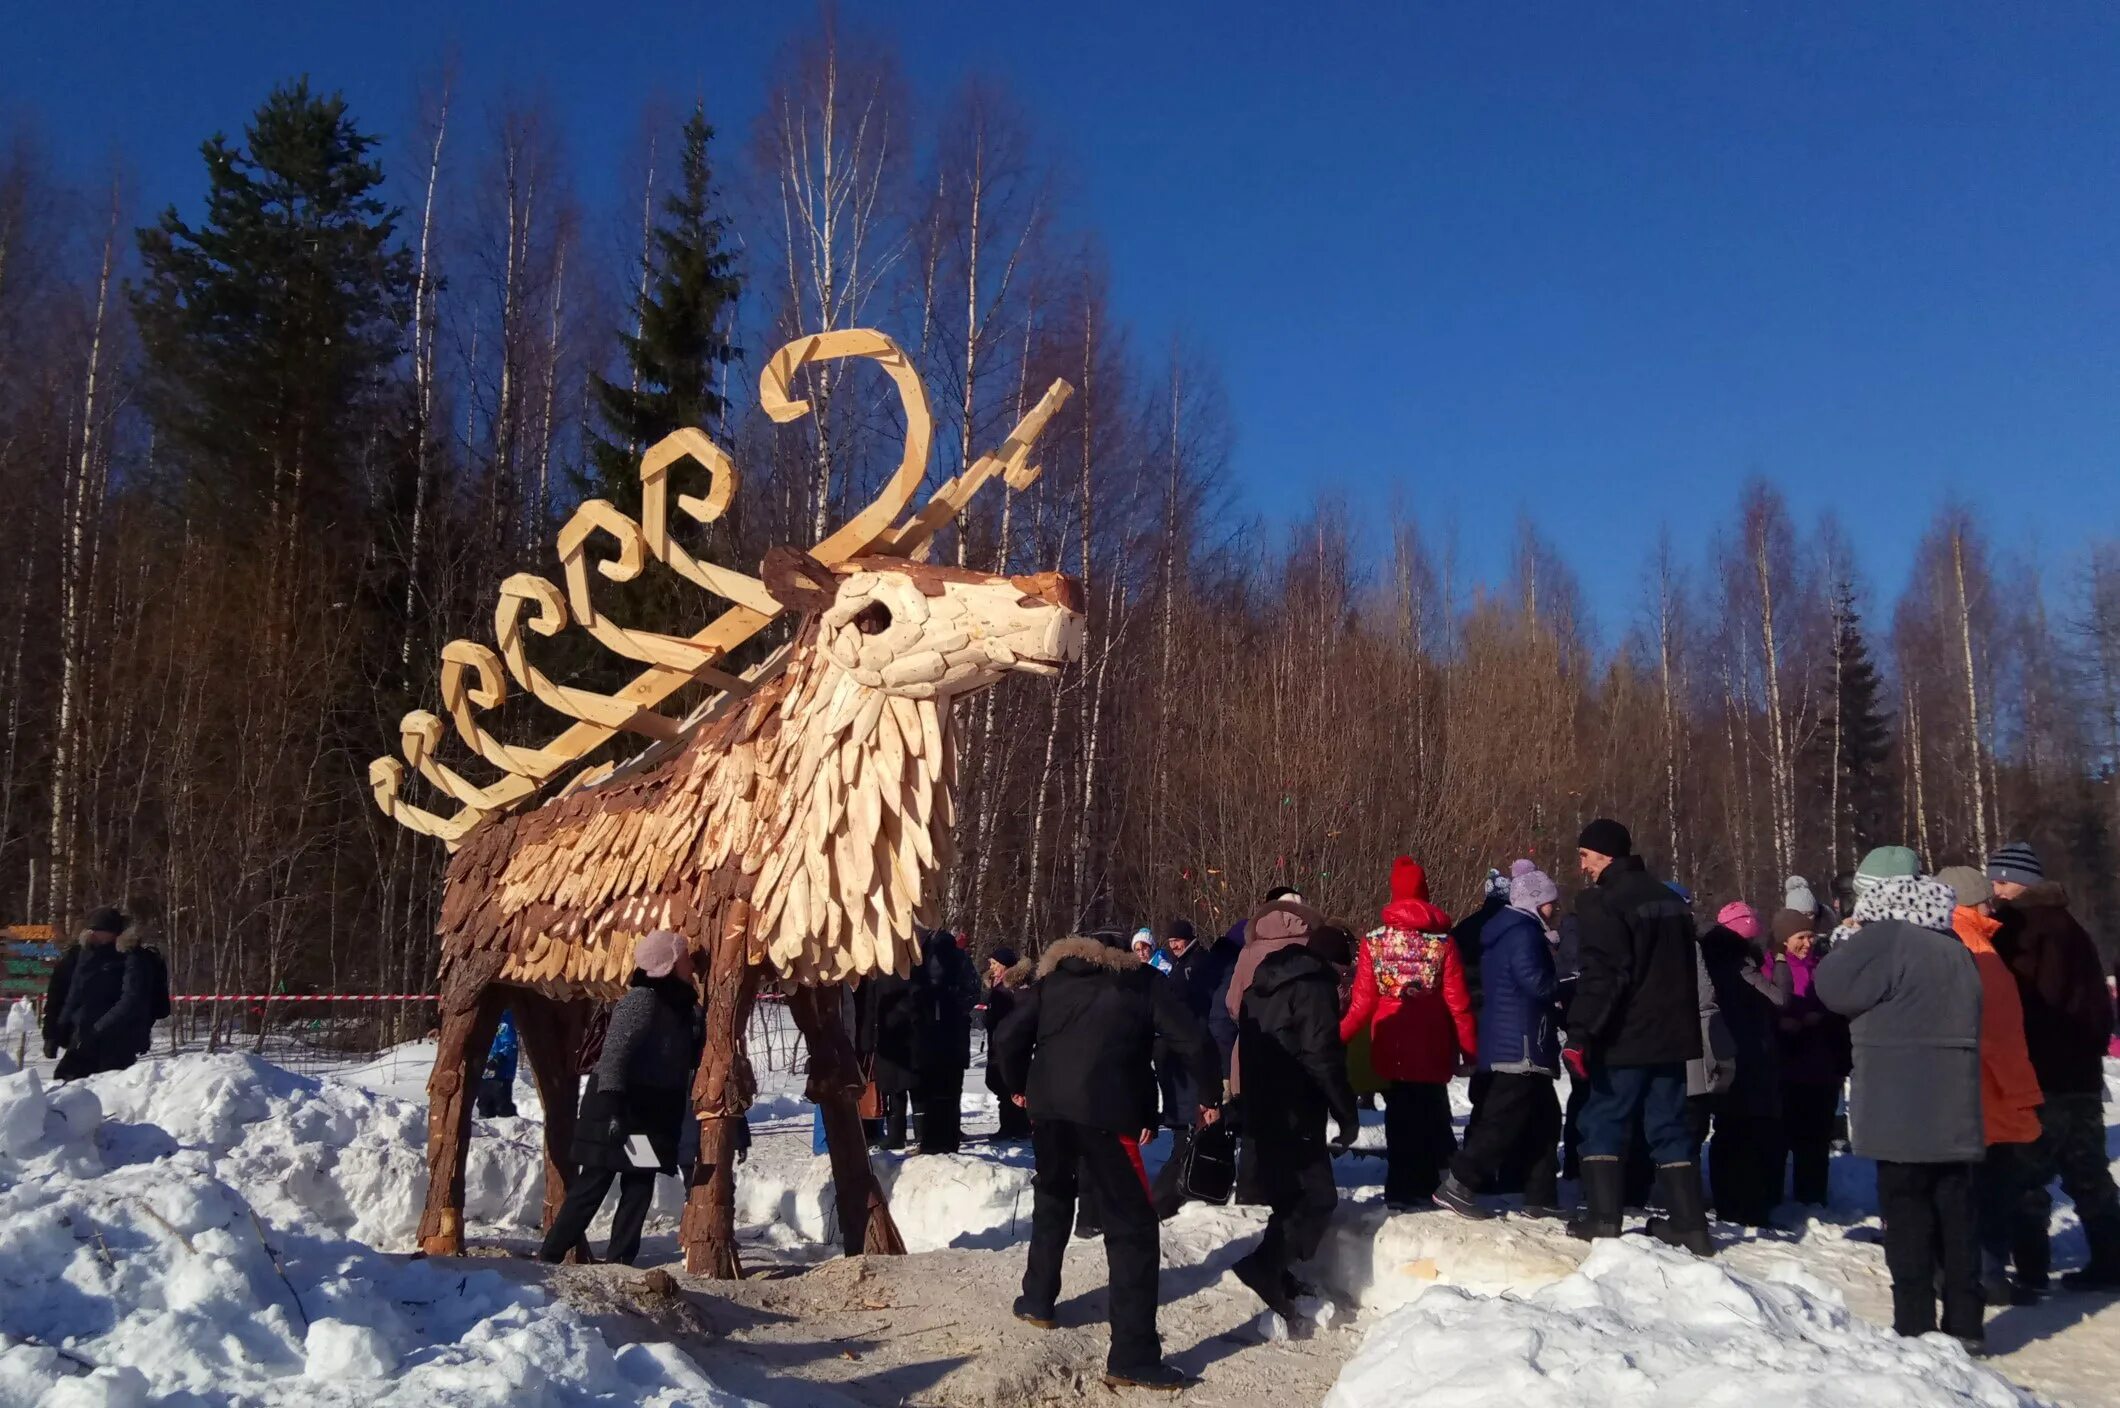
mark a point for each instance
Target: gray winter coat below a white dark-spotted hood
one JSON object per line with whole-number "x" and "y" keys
{"x": 1913, "y": 998}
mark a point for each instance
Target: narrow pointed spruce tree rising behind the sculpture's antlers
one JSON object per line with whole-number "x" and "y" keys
{"x": 684, "y": 340}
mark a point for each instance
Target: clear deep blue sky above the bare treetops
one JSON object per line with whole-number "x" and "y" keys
{"x": 1589, "y": 262}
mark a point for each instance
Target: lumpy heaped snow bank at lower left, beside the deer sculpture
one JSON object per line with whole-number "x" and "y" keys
{"x": 196, "y": 1250}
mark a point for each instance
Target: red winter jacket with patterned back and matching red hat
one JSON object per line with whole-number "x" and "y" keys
{"x": 1411, "y": 989}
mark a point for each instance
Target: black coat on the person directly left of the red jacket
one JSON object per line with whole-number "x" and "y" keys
{"x": 1290, "y": 1044}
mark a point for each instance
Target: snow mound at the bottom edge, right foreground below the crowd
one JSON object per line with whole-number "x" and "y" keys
{"x": 1650, "y": 1326}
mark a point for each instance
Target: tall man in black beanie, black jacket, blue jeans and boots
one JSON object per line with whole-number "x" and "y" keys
{"x": 1633, "y": 1027}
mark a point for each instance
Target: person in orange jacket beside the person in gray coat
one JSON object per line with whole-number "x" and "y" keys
{"x": 2009, "y": 1095}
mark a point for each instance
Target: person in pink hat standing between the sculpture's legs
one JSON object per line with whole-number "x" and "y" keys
{"x": 635, "y": 1095}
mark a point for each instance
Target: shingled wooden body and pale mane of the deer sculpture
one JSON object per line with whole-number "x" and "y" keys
{"x": 800, "y": 798}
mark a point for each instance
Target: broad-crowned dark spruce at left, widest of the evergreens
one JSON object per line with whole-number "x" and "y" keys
{"x": 275, "y": 325}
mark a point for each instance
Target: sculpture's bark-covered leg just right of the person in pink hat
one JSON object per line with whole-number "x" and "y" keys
{"x": 720, "y": 1095}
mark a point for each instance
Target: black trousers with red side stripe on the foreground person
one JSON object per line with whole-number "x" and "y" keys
{"x": 1074, "y": 1159}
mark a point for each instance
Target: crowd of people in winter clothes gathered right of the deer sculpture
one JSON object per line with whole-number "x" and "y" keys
{"x": 1962, "y": 1019}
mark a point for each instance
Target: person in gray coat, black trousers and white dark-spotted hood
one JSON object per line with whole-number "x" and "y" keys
{"x": 1913, "y": 1000}
